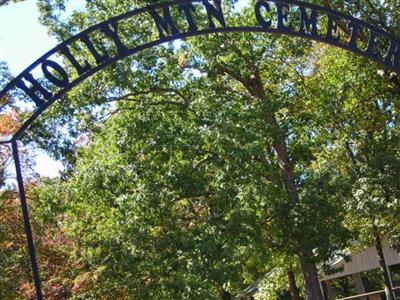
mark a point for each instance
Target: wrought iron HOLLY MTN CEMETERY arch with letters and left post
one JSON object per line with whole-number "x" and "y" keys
{"x": 292, "y": 18}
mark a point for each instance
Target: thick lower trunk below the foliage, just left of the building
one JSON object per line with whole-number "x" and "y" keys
{"x": 310, "y": 275}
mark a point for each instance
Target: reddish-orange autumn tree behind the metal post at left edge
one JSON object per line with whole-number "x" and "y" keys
{"x": 52, "y": 247}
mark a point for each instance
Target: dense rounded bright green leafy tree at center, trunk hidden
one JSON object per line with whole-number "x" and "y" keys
{"x": 173, "y": 201}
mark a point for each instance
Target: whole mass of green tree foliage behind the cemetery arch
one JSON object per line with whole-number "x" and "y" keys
{"x": 177, "y": 189}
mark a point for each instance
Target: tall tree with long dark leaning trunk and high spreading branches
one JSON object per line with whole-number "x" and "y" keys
{"x": 301, "y": 197}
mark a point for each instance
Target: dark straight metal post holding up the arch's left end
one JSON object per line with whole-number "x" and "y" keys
{"x": 27, "y": 225}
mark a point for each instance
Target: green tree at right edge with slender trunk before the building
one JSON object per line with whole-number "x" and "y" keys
{"x": 363, "y": 139}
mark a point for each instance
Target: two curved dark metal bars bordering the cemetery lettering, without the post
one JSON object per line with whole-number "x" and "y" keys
{"x": 182, "y": 35}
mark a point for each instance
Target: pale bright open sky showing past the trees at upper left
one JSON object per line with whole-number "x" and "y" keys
{"x": 23, "y": 40}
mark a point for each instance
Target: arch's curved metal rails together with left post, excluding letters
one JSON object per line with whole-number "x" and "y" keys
{"x": 180, "y": 35}
